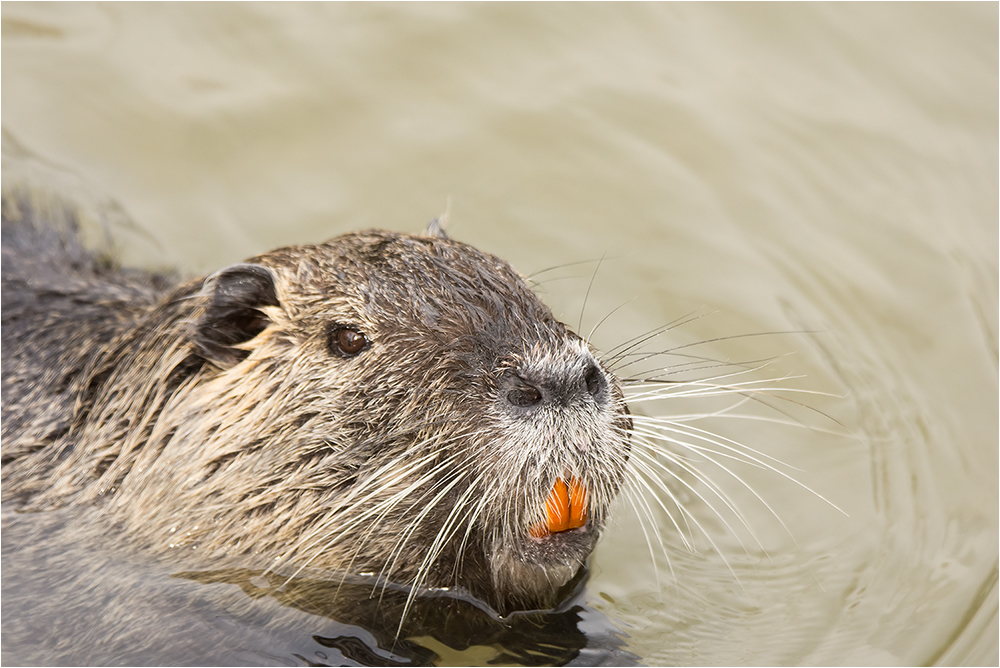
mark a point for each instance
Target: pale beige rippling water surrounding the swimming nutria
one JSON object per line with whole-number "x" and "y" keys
{"x": 824, "y": 175}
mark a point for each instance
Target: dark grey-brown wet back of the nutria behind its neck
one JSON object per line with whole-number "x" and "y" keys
{"x": 62, "y": 306}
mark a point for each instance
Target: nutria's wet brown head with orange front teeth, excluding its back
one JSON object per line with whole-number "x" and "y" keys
{"x": 381, "y": 403}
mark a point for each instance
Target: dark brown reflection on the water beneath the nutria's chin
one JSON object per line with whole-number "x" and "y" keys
{"x": 435, "y": 623}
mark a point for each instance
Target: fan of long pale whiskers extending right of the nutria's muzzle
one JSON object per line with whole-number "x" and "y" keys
{"x": 674, "y": 449}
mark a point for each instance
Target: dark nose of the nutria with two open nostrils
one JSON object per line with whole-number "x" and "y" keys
{"x": 556, "y": 387}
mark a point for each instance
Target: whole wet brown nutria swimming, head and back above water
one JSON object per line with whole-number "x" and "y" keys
{"x": 388, "y": 404}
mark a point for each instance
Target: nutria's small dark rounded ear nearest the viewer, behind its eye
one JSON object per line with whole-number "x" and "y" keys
{"x": 233, "y": 315}
